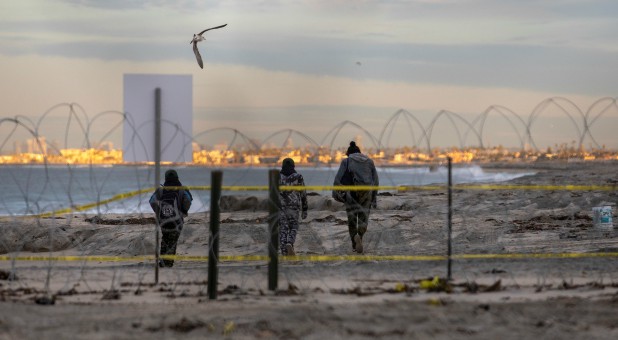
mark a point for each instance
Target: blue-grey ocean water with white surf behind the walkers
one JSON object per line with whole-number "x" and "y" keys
{"x": 36, "y": 189}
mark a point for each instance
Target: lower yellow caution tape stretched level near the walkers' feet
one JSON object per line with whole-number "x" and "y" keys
{"x": 307, "y": 258}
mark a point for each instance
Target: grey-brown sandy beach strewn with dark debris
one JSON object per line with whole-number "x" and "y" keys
{"x": 348, "y": 297}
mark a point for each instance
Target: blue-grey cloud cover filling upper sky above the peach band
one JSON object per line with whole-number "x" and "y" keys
{"x": 464, "y": 43}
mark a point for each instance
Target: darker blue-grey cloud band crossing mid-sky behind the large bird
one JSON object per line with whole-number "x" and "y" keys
{"x": 544, "y": 68}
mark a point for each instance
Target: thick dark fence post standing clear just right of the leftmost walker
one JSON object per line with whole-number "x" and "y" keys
{"x": 213, "y": 242}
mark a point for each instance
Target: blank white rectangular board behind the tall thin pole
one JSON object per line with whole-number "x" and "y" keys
{"x": 138, "y": 142}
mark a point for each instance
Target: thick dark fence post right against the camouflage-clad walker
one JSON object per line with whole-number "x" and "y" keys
{"x": 273, "y": 222}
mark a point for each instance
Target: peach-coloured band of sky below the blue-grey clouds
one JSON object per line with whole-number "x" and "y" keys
{"x": 258, "y": 101}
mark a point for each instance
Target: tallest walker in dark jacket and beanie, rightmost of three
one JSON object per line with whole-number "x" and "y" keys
{"x": 357, "y": 169}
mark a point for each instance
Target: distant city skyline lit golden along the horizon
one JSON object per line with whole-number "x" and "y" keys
{"x": 38, "y": 152}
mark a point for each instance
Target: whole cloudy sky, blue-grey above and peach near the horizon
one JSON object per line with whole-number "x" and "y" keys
{"x": 309, "y": 65}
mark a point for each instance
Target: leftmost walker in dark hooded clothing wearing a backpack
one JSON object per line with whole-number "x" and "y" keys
{"x": 171, "y": 205}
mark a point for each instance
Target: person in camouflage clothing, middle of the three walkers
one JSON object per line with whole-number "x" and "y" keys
{"x": 293, "y": 203}
